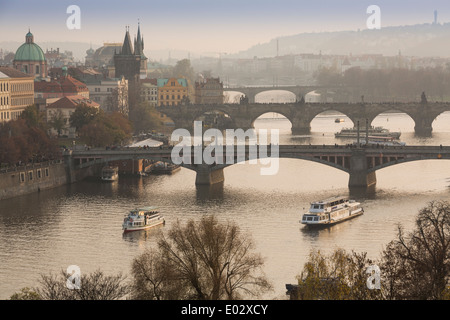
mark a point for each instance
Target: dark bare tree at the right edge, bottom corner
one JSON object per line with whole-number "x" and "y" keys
{"x": 416, "y": 266}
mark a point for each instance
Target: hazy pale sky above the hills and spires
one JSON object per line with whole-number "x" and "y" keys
{"x": 203, "y": 25}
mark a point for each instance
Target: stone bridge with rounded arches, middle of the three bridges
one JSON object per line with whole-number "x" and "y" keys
{"x": 301, "y": 114}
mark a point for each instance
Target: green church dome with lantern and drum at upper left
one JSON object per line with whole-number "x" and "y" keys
{"x": 30, "y": 58}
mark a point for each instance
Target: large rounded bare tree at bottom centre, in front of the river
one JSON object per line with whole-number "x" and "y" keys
{"x": 204, "y": 260}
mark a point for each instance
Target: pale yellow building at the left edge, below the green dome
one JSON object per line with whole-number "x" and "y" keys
{"x": 21, "y": 91}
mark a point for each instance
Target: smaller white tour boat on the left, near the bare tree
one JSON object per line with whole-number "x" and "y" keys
{"x": 141, "y": 219}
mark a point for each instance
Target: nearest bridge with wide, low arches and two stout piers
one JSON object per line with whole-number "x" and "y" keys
{"x": 360, "y": 163}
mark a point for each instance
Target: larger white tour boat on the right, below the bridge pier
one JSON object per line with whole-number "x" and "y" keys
{"x": 331, "y": 211}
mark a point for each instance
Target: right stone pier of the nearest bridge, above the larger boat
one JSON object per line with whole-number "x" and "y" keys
{"x": 360, "y": 177}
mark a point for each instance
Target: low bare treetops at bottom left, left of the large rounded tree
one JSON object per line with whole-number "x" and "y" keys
{"x": 93, "y": 286}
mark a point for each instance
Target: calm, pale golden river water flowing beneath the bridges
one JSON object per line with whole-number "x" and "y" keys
{"x": 80, "y": 224}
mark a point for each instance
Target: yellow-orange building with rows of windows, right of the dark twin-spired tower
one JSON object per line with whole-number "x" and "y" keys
{"x": 173, "y": 92}
